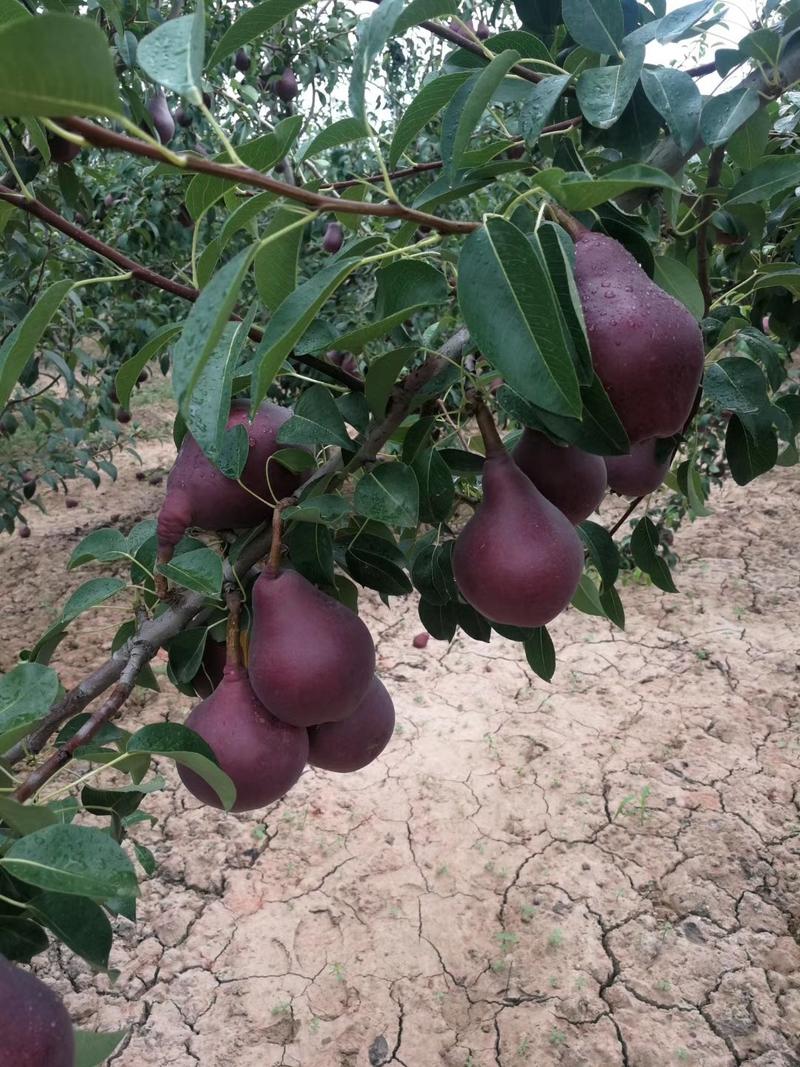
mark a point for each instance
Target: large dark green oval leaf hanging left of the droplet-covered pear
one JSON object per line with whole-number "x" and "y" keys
{"x": 502, "y": 280}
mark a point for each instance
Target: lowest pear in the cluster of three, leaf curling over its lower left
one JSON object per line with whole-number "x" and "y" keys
{"x": 263, "y": 756}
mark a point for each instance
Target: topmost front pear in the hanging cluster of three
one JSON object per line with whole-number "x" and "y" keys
{"x": 312, "y": 660}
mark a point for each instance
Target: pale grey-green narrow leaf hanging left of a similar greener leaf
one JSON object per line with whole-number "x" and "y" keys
{"x": 205, "y": 324}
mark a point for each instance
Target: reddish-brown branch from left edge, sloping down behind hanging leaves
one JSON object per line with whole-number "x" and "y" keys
{"x": 57, "y": 221}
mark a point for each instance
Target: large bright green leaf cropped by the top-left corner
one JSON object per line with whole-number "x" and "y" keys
{"x": 56, "y": 66}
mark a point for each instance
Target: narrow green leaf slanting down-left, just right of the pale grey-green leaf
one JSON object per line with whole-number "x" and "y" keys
{"x": 292, "y": 321}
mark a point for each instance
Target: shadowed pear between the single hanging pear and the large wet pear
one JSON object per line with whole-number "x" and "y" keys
{"x": 572, "y": 480}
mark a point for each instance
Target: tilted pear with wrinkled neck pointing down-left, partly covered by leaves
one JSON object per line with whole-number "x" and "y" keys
{"x": 198, "y": 495}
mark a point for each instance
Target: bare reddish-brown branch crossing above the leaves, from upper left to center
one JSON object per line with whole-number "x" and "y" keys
{"x": 103, "y": 138}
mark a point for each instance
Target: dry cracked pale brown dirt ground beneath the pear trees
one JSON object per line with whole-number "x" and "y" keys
{"x": 601, "y": 872}
